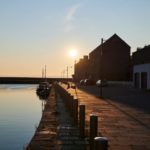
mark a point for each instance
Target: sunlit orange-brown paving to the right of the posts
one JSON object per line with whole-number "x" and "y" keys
{"x": 127, "y": 128}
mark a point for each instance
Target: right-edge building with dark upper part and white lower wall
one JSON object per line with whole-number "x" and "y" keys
{"x": 141, "y": 68}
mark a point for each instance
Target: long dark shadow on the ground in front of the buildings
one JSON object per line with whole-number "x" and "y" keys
{"x": 138, "y": 99}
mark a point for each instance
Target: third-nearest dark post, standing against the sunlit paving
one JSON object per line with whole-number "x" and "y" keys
{"x": 82, "y": 120}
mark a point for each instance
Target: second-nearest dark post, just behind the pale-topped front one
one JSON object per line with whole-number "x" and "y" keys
{"x": 93, "y": 129}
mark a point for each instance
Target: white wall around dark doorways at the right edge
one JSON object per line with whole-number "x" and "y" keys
{"x": 143, "y": 68}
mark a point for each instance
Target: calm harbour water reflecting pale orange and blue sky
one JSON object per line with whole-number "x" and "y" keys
{"x": 20, "y": 112}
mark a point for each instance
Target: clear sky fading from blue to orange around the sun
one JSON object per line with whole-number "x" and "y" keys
{"x": 35, "y": 33}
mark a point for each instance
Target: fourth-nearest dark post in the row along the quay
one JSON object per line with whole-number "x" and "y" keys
{"x": 75, "y": 110}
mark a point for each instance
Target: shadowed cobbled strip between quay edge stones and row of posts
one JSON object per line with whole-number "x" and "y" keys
{"x": 68, "y": 133}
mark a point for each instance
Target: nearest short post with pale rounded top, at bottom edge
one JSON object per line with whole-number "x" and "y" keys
{"x": 100, "y": 143}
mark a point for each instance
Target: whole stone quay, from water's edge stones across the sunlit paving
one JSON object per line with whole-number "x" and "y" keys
{"x": 124, "y": 127}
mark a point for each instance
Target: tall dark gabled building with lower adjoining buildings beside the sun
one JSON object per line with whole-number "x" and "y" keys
{"x": 114, "y": 64}
